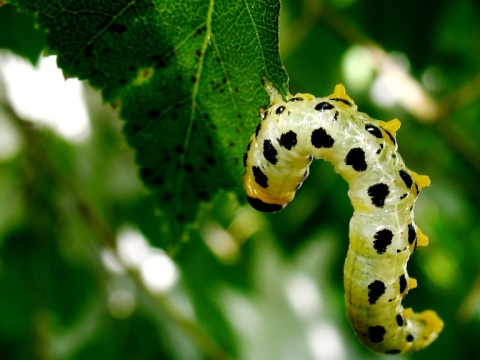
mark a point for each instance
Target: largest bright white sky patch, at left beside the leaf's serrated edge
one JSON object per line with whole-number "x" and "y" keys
{"x": 41, "y": 94}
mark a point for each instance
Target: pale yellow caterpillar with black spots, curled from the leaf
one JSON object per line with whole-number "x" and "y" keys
{"x": 382, "y": 190}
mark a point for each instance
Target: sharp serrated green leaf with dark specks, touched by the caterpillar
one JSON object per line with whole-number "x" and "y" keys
{"x": 185, "y": 77}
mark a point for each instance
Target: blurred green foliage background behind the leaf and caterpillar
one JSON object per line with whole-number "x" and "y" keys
{"x": 250, "y": 286}
